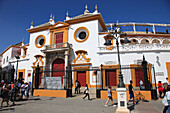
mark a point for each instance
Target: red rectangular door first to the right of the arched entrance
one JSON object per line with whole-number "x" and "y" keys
{"x": 81, "y": 77}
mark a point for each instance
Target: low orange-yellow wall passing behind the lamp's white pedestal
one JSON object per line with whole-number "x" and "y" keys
{"x": 145, "y": 95}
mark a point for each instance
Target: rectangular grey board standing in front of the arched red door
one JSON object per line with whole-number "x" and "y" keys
{"x": 53, "y": 83}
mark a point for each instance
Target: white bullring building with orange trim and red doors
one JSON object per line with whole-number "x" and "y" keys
{"x": 74, "y": 49}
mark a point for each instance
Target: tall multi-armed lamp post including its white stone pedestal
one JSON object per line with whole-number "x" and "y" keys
{"x": 121, "y": 90}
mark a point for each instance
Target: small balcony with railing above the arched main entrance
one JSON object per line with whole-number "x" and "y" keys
{"x": 57, "y": 47}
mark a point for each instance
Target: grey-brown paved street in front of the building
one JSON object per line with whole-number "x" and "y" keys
{"x": 76, "y": 105}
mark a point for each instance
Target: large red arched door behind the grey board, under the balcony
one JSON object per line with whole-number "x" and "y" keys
{"x": 58, "y": 68}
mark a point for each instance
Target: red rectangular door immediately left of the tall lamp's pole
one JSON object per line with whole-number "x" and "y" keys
{"x": 111, "y": 79}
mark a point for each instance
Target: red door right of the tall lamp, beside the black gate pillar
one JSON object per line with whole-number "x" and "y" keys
{"x": 139, "y": 75}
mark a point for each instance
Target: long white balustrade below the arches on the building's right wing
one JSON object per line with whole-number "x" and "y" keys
{"x": 135, "y": 48}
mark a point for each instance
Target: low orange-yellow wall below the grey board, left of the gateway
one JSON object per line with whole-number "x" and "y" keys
{"x": 50, "y": 93}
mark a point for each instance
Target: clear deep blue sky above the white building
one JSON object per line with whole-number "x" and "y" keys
{"x": 16, "y": 15}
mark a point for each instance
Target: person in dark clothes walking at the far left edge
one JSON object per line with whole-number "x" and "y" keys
{"x": 5, "y": 96}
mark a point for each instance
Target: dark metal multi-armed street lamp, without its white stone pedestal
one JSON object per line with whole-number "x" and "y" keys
{"x": 116, "y": 33}
